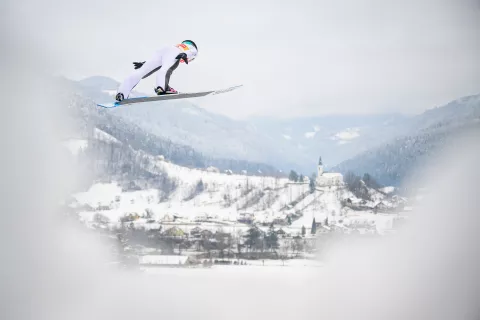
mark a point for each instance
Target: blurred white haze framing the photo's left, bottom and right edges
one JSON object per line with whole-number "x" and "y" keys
{"x": 52, "y": 269}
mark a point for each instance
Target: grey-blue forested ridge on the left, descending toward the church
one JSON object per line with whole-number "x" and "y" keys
{"x": 86, "y": 120}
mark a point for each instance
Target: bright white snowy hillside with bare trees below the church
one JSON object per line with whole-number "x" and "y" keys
{"x": 218, "y": 201}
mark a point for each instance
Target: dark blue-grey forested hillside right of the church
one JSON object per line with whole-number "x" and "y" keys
{"x": 428, "y": 133}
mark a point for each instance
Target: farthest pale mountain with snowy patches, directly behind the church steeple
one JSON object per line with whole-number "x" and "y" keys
{"x": 335, "y": 138}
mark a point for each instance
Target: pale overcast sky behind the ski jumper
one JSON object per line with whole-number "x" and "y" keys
{"x": 295, "y": 58}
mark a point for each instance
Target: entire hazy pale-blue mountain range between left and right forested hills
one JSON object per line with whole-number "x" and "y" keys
{"x": 293, "y": 144}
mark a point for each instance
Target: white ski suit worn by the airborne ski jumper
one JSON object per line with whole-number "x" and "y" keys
{"x": 164, "y": 61}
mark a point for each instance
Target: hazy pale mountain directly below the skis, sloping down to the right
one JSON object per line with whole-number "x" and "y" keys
{"x": 213, "y": 135}
